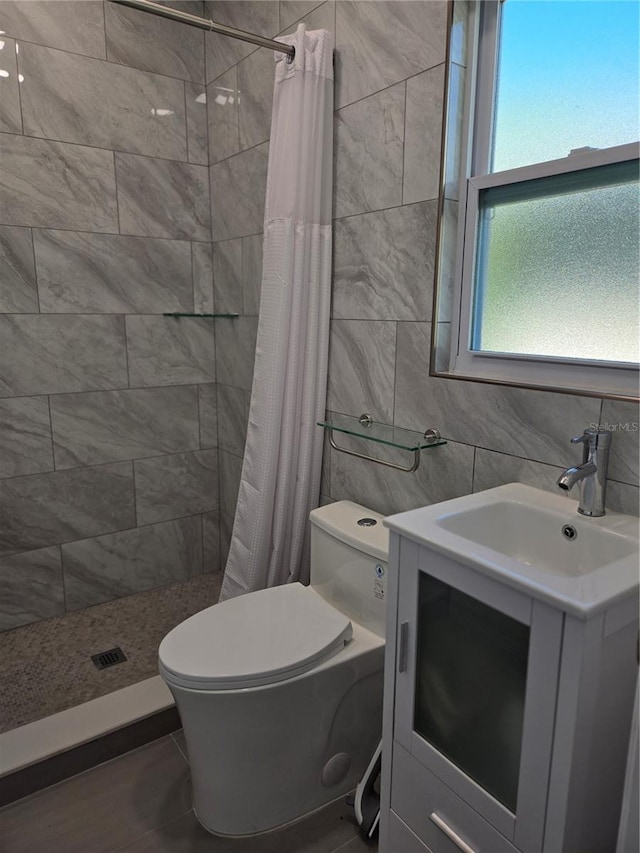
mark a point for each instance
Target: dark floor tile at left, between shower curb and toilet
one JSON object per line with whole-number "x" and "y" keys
{"x": 103, "y": 809}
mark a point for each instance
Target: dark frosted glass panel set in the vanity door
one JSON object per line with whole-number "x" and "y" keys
{"x": 471, "y": 676}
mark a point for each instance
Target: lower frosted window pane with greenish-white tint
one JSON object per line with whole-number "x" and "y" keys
{"x": 557, "y": 267}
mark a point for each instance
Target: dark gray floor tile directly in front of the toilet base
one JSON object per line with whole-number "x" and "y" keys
{"x": 323, "y": 832}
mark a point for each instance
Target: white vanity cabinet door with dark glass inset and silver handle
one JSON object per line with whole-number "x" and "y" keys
{"x": 476, "y": 689}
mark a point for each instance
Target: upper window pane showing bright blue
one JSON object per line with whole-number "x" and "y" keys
{"x": 568, "y": 75}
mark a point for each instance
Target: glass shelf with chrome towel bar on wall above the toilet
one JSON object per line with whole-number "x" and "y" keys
{"x": 392, "y": 436}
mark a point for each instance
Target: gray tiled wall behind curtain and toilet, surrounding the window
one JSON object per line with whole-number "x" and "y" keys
{"x": 389, "y": 92}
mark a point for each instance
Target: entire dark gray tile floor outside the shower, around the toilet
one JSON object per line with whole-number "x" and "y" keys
{"x": 141, "y": 803}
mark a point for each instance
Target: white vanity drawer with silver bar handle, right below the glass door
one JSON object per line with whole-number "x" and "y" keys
{"x": 416, "y": 795}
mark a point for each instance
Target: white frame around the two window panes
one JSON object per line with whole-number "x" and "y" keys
{"x": 611, "y": 379}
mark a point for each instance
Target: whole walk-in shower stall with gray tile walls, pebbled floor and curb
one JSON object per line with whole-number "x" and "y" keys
{"x": 132, "y": 180}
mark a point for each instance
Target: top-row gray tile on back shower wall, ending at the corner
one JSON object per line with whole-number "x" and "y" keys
{"x": 154, "y": 44}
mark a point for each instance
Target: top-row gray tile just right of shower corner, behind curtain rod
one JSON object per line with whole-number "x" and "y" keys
{"x": 261, "y": 18}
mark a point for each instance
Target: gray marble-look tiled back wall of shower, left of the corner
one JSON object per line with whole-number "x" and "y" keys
{"x": 108, "y": 441}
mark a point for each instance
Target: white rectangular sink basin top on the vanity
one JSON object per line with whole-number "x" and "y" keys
{"x": 533, "y": 540}
